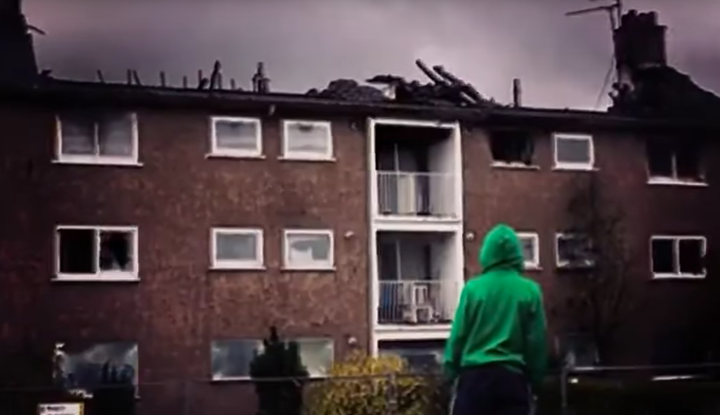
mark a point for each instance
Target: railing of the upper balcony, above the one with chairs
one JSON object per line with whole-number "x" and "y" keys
{"x": 416, "y": 194}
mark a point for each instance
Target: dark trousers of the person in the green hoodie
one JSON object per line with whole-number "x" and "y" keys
{"x": 492, "y": 390}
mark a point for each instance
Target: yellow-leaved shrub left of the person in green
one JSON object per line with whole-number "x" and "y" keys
{"x": 365, "y": 385}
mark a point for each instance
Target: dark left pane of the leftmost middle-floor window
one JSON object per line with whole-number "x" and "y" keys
{"x": 77, "y": 251}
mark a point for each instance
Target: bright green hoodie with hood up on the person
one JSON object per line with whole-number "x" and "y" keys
{"x": 500, "y": 316}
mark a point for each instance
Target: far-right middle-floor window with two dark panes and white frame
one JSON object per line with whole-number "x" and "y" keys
{"x": 678, "y": 256}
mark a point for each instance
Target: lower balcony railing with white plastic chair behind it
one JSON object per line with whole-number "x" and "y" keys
{"x": 417, "y": 302}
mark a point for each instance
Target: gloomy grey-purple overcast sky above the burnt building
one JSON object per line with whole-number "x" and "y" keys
{"x": 562, "y": 61}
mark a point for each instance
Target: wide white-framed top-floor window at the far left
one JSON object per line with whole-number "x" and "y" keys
{"x": 97, "y": 138}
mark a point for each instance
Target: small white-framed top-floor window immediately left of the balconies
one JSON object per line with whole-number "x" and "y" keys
{"x": 307, "y": 140}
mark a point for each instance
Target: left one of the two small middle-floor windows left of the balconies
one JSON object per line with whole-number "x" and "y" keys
{"x": 234, "y": 248}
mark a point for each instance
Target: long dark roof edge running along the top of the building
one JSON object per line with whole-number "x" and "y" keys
{"x": 77, "y": 92}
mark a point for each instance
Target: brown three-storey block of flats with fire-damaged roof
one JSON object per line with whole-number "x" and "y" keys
{"x": 167, "y": 228}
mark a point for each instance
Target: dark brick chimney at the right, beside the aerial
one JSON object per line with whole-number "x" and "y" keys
{"x": 639, "y": 43}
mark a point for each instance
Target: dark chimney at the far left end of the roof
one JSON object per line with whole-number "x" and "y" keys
{"x": 16, "y": 46}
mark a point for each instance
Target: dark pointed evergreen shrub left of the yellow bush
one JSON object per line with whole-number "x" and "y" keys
{"x": 279, "y": 360}
